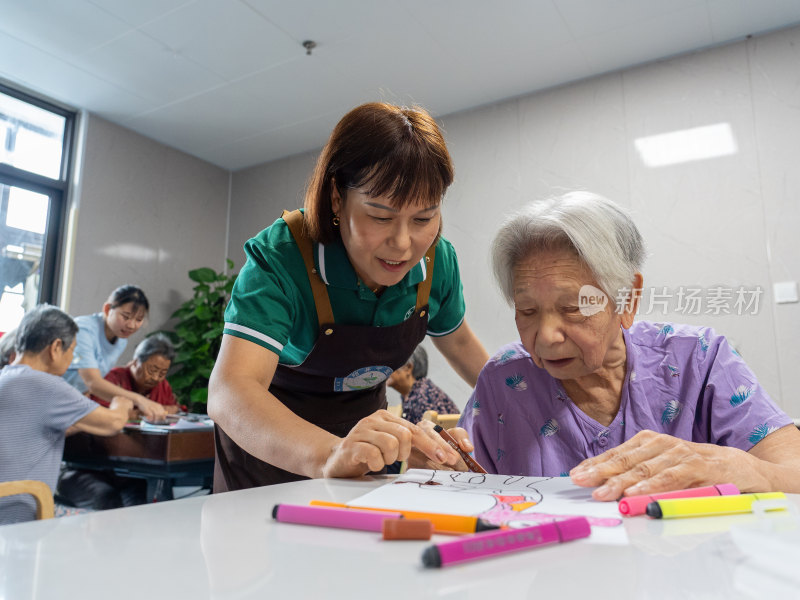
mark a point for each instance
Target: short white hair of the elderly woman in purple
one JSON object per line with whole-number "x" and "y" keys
{"x": 602, "y": 234}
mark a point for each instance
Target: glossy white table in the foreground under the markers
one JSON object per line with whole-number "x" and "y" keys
{"x": 227, "y": 546}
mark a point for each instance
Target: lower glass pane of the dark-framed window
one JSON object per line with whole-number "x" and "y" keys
{"x": 23, "y": 220}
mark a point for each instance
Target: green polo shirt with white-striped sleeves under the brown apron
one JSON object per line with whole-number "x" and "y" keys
{"x": 272, "y": 304}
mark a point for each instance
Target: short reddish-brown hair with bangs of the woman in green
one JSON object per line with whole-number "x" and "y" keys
{"x": 385, "y": 150}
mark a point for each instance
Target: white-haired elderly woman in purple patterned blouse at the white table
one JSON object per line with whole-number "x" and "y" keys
{"x": 633, "y": 408}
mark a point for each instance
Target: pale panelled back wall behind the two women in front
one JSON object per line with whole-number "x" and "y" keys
{"x": 729, "y": 221}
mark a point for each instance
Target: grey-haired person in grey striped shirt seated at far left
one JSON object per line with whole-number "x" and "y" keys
{"x": 37, "y": 407}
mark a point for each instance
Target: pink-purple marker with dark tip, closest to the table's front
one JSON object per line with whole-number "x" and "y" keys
{"x": 504, "y": 541}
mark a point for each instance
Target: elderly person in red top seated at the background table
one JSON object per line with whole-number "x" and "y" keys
{"x": 146, "y": 374}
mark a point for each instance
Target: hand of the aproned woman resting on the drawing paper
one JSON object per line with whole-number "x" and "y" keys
{"x": 379, "y": 440}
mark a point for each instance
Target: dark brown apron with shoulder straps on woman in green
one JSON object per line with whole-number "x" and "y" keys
{"x": 339, "y": 383}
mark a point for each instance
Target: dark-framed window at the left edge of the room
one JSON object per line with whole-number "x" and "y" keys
{"x": 34, "y": 168}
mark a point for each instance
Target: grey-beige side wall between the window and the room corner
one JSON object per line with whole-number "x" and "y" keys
{"x": 147, "y": 214}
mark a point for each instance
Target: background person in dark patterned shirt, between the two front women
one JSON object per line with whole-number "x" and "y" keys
{"x": 417, "y": 391}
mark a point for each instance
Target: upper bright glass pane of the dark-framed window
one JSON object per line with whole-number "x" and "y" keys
{"x": 34, "y": 137}
